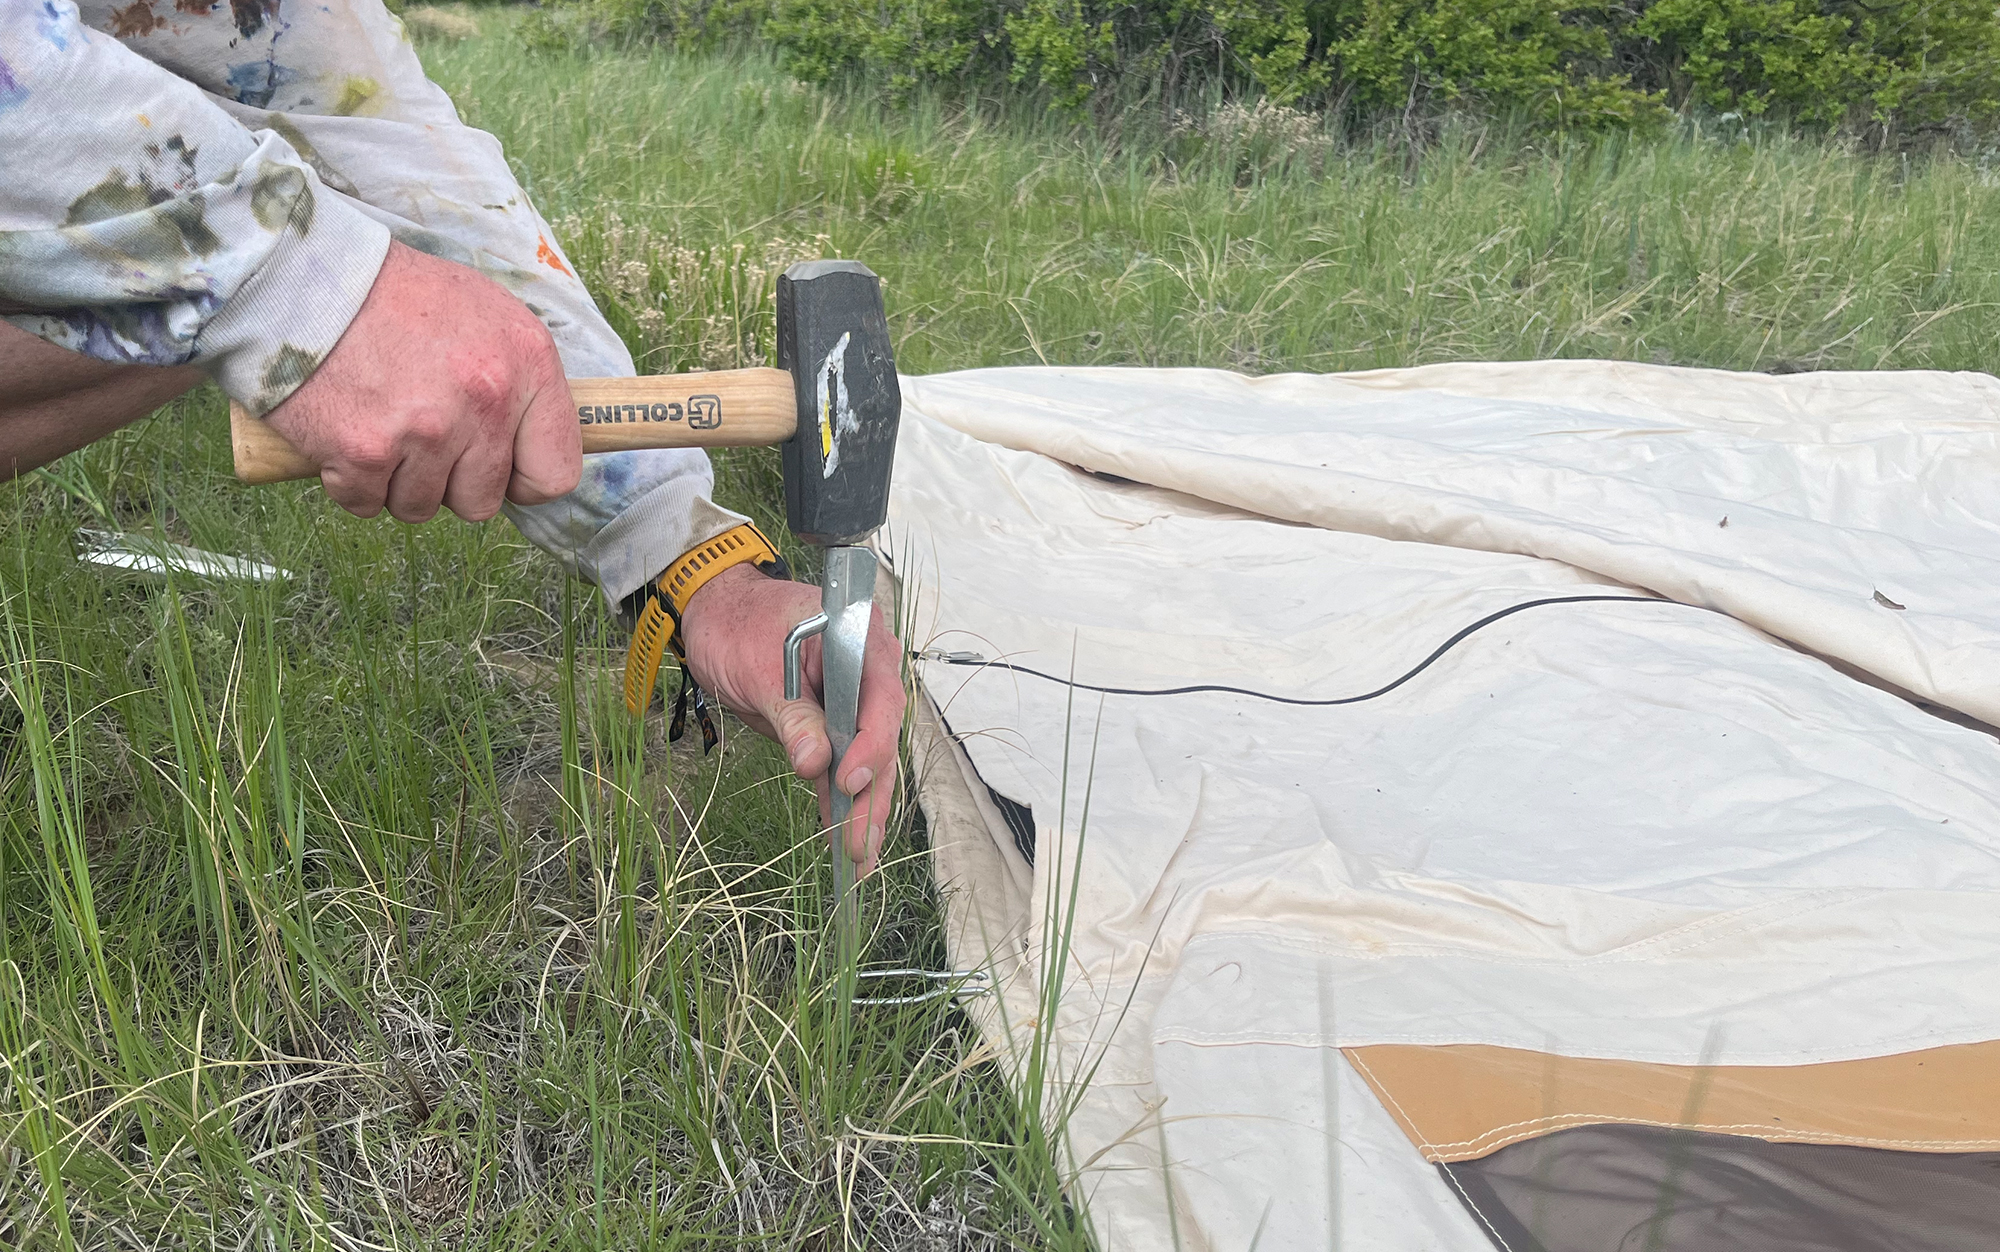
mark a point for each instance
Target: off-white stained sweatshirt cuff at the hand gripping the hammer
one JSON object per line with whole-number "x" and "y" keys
{"x": 287, "y": 317}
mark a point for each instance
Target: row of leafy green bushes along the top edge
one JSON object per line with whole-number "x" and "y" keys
{"x": 1561, "y": 63}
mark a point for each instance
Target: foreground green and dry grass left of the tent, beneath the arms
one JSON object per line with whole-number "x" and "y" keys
{"x": 357, "y": 913}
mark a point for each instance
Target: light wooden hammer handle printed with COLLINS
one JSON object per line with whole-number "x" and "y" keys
{"x": 723, "y": 409}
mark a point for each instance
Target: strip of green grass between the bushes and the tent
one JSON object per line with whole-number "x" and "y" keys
{"x": 1247, "y": 241}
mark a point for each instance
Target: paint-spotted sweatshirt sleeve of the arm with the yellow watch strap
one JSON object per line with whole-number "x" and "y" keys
{"x": 401, "y": 155}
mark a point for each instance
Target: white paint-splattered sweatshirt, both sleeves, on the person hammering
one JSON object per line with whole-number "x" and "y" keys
{"x": 219, "y": 181}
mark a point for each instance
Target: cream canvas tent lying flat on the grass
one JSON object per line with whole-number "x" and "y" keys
{"x": 1667, "y": 907}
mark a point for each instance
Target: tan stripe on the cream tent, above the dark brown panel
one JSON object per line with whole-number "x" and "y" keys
{"x": 1465, "y": 1101}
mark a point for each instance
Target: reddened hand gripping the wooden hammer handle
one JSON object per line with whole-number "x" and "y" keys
{"x": 443, "y": 391}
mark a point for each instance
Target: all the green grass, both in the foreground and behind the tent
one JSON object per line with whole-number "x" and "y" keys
{"x": 353, "y": 913}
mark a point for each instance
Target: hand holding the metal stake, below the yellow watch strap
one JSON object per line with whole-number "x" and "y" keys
{"x": 735, "y": 637}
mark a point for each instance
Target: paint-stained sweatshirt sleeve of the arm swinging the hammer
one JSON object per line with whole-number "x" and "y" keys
{"x": 141, "y": 223}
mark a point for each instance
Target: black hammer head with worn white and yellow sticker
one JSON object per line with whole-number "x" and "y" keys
{"x": 835, "y": 343}
